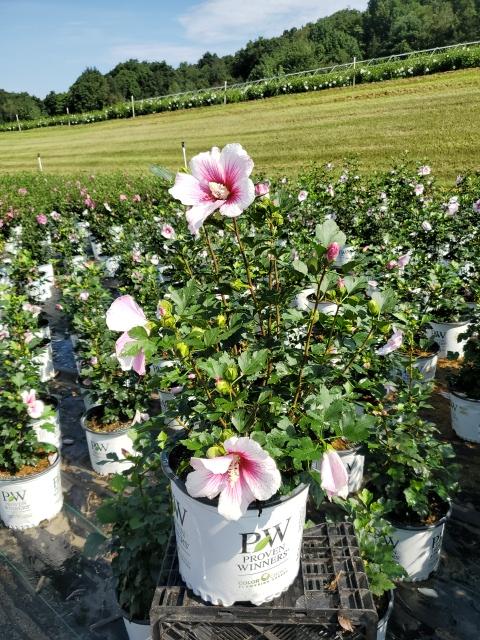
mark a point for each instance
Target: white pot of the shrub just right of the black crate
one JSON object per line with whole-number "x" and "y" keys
{"x": 417, "y": 549}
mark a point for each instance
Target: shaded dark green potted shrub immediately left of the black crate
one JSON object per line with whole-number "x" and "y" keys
{"x": 139, "y": 520}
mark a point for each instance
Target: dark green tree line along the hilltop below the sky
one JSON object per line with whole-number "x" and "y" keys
{"x": 384, "y": 28}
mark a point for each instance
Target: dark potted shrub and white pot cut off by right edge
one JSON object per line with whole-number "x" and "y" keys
{"x": 465, "y": 388}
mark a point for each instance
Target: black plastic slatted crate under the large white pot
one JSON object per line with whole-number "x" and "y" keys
{"x": 331, "y": 584}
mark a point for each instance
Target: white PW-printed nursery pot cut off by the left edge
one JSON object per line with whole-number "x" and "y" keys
{"x": 26, "y": 501}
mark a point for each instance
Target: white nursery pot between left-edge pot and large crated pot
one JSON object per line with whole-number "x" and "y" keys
{"x": 100, "y": 444}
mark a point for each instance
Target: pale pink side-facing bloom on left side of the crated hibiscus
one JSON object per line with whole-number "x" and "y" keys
{"x": 123, "y": 315}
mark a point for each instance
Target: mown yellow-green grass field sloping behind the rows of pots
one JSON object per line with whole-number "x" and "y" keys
{"x": 436, "y": 118}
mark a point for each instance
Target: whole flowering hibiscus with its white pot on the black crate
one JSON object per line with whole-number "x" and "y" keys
{"x": 249, "y": 372}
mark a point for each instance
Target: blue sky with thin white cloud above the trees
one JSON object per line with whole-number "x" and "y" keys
{"x": 46, "y": 44}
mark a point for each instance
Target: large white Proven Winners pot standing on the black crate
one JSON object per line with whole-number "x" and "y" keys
{"x": 253, "y": 559}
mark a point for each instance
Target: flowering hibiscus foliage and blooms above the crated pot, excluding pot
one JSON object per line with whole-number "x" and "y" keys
{"x": 249, "y": 370}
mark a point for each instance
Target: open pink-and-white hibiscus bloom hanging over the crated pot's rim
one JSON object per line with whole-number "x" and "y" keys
{"x": 246, "y": 473}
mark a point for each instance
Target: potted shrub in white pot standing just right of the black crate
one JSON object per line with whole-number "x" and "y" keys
{"x": 413, "y": 476}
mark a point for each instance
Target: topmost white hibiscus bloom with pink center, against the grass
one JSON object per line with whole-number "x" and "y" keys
{"x": 218, "y": 180}
